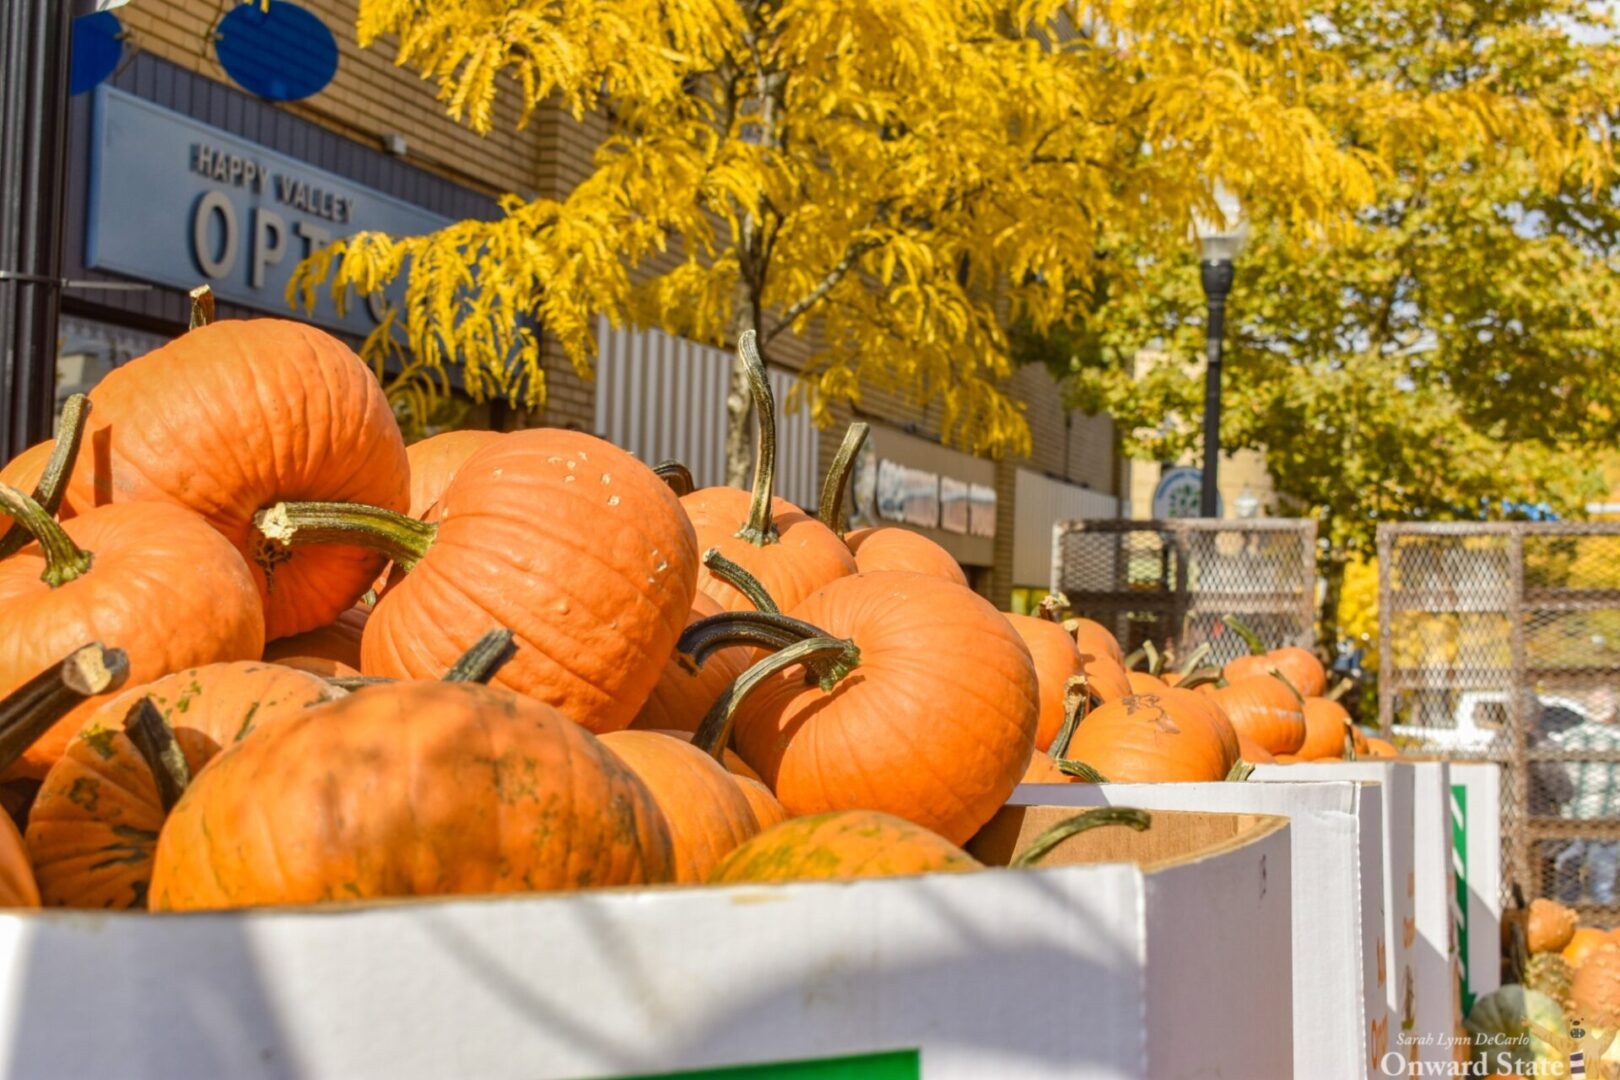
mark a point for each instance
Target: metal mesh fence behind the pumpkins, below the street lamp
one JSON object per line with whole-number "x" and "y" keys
{"x": 1174, "y": 580}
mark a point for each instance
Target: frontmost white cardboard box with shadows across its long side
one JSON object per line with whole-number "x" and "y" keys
{"x": 1086, "y": 967}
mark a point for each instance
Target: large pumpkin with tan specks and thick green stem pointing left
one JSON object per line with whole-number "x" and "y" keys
{"x": 565, "y": 538}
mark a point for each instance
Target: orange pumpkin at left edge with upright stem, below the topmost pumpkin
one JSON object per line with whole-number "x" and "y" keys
{"x": 150, "y": 579}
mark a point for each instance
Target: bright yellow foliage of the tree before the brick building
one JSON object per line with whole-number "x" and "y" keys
{"x": 913, "y": 176}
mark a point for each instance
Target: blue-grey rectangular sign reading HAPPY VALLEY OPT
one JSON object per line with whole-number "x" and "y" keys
{"x": 182, "y": 203}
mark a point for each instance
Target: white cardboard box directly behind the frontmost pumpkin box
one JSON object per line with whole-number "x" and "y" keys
{"x": 1342, "y": 1027}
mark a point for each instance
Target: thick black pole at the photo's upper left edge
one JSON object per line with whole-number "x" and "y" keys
{"x": 33, "y": 176}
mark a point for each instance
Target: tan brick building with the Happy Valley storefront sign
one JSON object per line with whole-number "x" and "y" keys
{"x": 179, "y": 177}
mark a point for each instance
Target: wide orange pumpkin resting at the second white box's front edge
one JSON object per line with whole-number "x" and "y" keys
{"x": 1151, "y": 739}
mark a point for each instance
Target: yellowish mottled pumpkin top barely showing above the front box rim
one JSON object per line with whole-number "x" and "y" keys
{"x": 840, "y": 846}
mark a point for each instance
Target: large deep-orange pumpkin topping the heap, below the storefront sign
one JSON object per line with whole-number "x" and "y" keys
{"x": 237, "y": 417}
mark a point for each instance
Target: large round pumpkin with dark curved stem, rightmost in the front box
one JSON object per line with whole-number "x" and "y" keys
{"x": 931, "y": 712}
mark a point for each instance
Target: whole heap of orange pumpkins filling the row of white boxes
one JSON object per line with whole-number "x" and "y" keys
{"x": 255, "y": 650}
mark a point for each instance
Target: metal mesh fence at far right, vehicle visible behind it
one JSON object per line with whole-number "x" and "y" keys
{"x": 1503, "y": 642}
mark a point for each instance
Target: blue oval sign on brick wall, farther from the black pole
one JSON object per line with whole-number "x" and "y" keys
{"x": 283, "y": 54}
